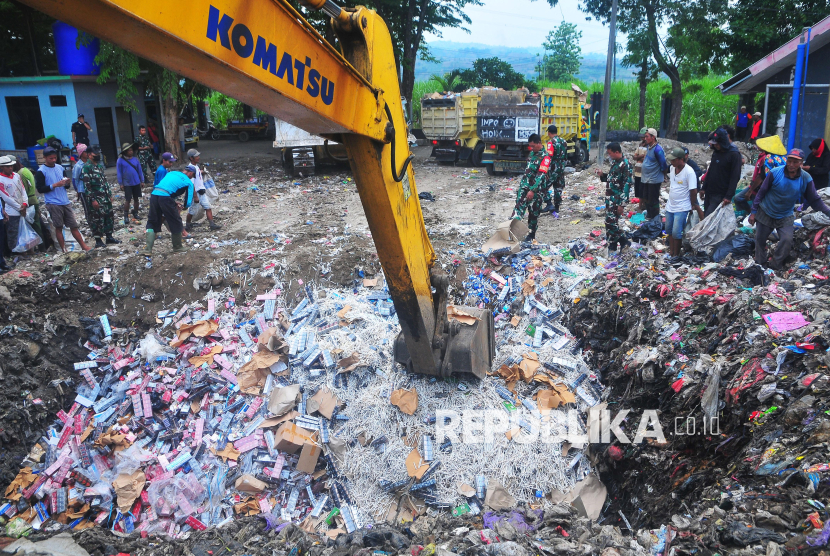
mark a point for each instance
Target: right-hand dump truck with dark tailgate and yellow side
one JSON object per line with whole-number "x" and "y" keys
{"x": 506, "y": 119}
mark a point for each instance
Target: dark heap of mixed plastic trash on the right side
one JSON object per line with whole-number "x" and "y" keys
{"x": 734, "y": 357}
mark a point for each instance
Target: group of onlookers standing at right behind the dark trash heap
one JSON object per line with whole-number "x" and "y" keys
{"x": 781, "y": 181}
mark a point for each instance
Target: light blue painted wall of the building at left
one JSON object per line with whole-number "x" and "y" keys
{"x": 57, "y": 120}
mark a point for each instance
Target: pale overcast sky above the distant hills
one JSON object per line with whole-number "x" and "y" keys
{"x": 525, "y": 23}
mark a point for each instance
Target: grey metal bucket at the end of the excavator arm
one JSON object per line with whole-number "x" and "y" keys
{"x": 467, "y": 346}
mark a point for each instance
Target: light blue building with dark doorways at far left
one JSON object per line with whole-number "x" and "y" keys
{"x": 37, "y": 107}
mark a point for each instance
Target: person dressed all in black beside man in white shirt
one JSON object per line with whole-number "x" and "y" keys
{"x": 724, "y": 172}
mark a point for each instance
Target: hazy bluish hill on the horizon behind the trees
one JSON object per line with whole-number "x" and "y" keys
{"x": 456, "y": 55}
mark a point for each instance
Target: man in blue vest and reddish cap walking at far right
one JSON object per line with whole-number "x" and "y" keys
{"x": 773, "y": 207}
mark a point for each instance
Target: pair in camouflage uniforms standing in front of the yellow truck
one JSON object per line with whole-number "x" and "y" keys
{"x": 542, "y": 184}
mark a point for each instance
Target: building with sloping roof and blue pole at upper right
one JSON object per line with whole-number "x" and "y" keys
{"x": 775, "y": 73}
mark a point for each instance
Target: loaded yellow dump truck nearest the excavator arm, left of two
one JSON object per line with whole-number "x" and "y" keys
{"x": 449, "y": 124}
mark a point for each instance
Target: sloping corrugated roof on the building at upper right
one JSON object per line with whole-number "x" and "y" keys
{"x": 756, "y": 75}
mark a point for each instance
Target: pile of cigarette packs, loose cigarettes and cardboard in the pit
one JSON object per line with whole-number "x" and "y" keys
{"x": 293, "y": 410}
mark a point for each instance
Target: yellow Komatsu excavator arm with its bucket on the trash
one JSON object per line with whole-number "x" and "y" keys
{"x": 265, "y": 54}
